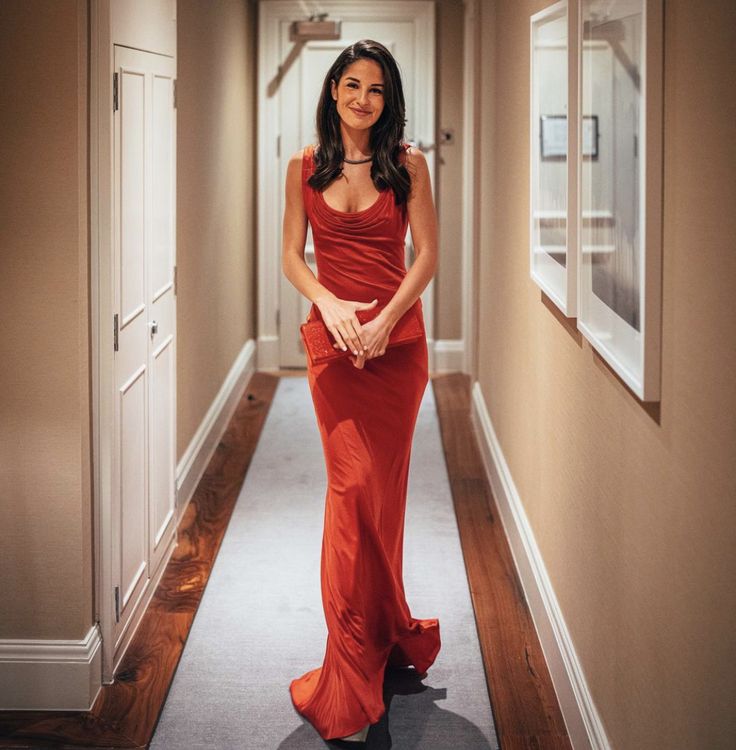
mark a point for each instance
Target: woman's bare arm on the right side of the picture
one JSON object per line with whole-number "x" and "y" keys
{"x": 423, "y": 224}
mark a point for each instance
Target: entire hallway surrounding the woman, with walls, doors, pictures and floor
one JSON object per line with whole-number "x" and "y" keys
{"x": 571, "y": 517}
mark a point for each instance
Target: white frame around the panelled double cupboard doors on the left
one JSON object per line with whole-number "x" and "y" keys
{"x": 102, "y": 366}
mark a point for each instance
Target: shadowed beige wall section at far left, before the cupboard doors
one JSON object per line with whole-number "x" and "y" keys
{"x": 45, "y": 498}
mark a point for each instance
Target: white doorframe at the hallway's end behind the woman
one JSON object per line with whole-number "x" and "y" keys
{"x": 271, "y": 14}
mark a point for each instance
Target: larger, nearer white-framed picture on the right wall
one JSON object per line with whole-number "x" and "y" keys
{"x": 619, "y": 224}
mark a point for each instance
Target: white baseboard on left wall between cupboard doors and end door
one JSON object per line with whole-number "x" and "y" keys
{"x": 199, "y": 452}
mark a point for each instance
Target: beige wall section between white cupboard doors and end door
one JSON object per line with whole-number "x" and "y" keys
{"x": 216, "y": 141}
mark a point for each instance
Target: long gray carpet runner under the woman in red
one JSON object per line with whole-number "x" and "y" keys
{"x": 260, "y": 622}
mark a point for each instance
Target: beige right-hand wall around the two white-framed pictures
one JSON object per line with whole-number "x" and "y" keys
{"x": 634, "y": 513}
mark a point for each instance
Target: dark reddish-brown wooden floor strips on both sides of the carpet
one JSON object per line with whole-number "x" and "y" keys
{"x": 125, "y": 714}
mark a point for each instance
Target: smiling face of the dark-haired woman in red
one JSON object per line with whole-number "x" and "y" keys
{"x": 359, "y": 94}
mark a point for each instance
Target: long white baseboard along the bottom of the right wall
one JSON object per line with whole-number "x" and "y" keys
{"x": 581, "y": 717}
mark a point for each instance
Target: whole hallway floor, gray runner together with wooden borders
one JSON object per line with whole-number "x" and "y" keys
{"x": 192, "y": 676}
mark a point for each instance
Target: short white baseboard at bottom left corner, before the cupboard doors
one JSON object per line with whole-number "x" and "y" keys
{"x": 43, "y": 675}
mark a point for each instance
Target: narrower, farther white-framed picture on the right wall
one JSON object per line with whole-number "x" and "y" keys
{"x": 552, "y": 199}
